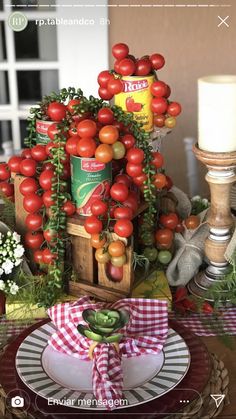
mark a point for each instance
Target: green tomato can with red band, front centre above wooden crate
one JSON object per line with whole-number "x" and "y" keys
{"x": 89, "y": 180}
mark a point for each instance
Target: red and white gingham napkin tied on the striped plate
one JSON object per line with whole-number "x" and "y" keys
{"x": 145, "y": 333}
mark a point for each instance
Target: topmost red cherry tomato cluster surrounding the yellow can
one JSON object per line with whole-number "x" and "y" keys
{"x": 110, "y": 83}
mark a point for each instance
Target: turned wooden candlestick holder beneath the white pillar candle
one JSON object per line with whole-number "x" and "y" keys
{"x": 220, "y": 177}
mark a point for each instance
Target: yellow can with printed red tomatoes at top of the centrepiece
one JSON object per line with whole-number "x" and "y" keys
{"x": 136, "y": 98}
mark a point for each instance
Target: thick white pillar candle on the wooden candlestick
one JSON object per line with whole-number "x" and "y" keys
{"x": 217, "y": 113}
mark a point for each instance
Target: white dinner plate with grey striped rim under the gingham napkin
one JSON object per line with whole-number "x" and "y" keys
{"x": 54, "y": 375}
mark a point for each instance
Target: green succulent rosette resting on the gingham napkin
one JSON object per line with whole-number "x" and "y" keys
{"x": 102, "y": 324}
